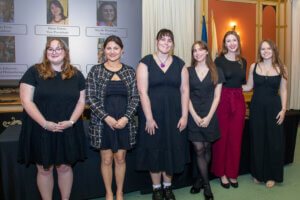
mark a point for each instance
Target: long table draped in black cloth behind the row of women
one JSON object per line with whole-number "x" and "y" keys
{"x": 19, "y": 182}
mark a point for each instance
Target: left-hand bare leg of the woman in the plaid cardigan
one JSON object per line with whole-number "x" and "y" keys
{"x": 106, "y": 170}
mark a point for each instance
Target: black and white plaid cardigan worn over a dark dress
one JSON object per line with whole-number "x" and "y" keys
{"x": 96, "y": 83}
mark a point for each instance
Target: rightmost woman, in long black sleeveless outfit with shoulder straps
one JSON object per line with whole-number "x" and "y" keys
{"x": 267, "y": 112}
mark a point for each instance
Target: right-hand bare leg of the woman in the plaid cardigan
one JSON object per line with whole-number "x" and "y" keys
{"x": 120, "y": 168}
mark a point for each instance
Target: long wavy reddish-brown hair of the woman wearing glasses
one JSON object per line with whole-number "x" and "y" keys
{"x": 44, "y": 68}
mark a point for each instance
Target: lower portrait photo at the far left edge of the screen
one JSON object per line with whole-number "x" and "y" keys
{"x": 7, "y": 49}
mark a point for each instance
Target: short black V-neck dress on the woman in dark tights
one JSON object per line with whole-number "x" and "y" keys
{"x": 202, "y": 96}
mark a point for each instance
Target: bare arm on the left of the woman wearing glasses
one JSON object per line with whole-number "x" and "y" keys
{"x": 26, "y": 96}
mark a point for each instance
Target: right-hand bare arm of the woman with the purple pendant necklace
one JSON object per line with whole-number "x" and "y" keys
{"x": 185, "y": 96}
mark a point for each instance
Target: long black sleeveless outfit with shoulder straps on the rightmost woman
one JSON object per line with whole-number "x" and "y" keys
{"x": 267, "y": 138}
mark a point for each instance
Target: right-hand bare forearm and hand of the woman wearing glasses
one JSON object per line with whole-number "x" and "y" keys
{"x": 79, "y": 108}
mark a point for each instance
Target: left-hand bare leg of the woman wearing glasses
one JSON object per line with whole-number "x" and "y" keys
{"x": 45, "y": 182}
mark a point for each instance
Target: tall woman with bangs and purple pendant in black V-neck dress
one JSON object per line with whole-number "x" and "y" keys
{"x": 163, "y": 86}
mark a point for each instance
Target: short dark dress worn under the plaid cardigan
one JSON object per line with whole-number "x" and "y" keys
{"x": 115, "y": 105}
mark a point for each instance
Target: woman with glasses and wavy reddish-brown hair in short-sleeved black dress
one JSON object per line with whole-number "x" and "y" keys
{"x": 52, "y": 136}
